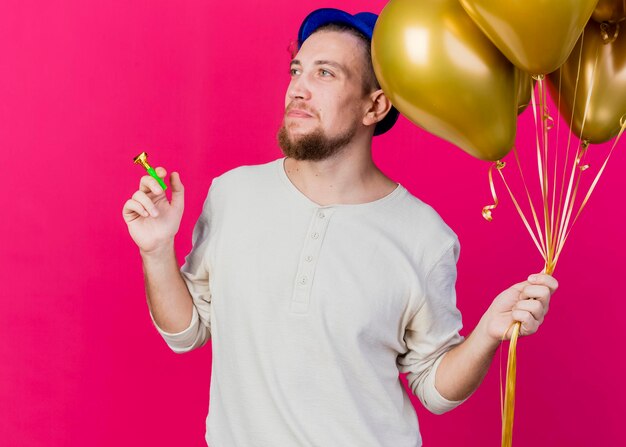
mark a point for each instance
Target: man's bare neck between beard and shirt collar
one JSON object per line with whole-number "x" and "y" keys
{"x": 350, "y": 177}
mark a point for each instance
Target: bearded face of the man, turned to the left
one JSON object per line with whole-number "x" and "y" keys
{"x": 324, "y": 103}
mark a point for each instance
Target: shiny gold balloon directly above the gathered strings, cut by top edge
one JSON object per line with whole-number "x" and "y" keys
{"x": 536, "y": 35}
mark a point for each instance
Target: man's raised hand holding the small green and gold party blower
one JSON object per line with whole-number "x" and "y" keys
{"x": 153, "y": 221}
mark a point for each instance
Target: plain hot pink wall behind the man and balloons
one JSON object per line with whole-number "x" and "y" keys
{"x": 85, "y": 86}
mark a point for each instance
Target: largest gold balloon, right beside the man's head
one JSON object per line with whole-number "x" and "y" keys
{"x": 444, "y": 75}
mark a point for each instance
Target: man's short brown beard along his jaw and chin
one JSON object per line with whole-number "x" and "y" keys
{"x": 314, "y": 146}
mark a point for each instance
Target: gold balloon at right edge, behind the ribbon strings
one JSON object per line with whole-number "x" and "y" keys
{"x": 607, "y": 103}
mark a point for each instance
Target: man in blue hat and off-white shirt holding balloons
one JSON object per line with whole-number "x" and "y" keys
{"x": 317, "y": 277}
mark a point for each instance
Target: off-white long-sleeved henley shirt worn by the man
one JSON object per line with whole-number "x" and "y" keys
{"x": 314, "y": 310}
